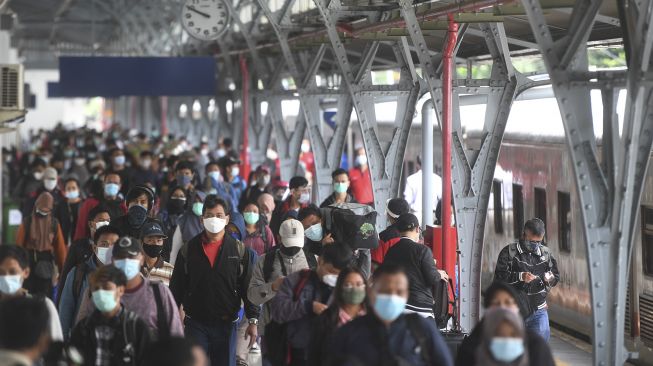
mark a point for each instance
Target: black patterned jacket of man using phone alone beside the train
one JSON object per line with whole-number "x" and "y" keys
{"x": 514, "y": 259}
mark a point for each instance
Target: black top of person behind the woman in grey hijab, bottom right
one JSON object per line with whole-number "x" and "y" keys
{"x": 539, "y": 353}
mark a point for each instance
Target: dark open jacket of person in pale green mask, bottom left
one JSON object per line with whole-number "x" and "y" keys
{"x": 84, "y": 338}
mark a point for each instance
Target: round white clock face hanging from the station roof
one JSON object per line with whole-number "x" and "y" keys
{"x": 205, "y": 19}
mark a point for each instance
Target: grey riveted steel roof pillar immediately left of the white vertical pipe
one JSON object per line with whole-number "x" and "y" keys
{"x": 385, "y": 158}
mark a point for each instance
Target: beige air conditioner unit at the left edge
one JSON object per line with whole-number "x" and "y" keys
{"x": 12, "y": 103}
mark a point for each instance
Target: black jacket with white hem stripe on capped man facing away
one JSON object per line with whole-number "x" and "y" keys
{"x": 417, "y": 260}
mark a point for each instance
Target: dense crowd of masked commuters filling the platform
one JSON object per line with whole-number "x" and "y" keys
{"x": 136, "y": 250}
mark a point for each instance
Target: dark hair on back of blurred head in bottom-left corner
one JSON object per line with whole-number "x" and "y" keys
{"x": 23, "y": 321}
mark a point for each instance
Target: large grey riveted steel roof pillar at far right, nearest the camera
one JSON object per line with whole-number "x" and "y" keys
{"x": 608, "y": 216}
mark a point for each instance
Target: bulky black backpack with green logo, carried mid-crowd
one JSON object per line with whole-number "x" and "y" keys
{"x": 354, "y": 224}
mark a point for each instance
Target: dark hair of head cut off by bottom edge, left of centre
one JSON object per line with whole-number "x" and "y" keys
{"x": 170, "y": 351}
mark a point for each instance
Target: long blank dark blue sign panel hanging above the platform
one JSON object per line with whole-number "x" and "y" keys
{"x": 134, "y": 76}
